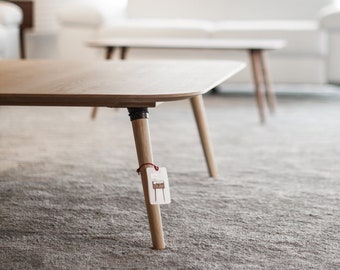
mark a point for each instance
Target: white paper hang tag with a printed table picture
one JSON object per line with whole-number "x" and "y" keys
{"x": 158, "y": 186}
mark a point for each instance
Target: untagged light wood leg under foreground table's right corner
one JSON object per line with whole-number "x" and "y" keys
{"x": 202, "y": 125}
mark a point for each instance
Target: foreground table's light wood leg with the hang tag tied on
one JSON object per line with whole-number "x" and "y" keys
{"x": 139, "y": 119}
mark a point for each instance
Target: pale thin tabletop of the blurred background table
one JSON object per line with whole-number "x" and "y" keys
{"x": 182, "y": 43}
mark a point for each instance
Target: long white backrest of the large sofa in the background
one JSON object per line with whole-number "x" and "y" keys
{"x": 227, "y": 9}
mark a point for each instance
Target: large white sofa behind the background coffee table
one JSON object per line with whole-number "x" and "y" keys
{"x": 304, "y": 24}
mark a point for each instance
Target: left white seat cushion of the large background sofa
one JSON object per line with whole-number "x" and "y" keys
{"x": 154, "y": 28}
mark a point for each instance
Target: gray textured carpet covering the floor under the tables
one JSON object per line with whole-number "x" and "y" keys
{"x": 70, "y": 197}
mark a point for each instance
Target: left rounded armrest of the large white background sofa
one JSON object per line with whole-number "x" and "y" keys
{"x": 90, "y": 14}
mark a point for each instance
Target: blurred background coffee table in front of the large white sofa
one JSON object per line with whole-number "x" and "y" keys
{"x": 255, "y": 47}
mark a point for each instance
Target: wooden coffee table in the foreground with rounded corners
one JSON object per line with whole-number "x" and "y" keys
{"x": 132, "y": 84}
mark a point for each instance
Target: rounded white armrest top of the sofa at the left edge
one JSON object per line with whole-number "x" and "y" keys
{"x": 10, "y": 14}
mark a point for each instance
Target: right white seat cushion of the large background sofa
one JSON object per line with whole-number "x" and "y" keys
{"x": 303, "y": 37}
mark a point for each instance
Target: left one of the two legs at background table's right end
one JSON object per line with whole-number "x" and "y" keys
{"x": 255, "y": 56}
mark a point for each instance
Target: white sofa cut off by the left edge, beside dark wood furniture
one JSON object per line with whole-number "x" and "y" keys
{"x": 10, "y": 20}
